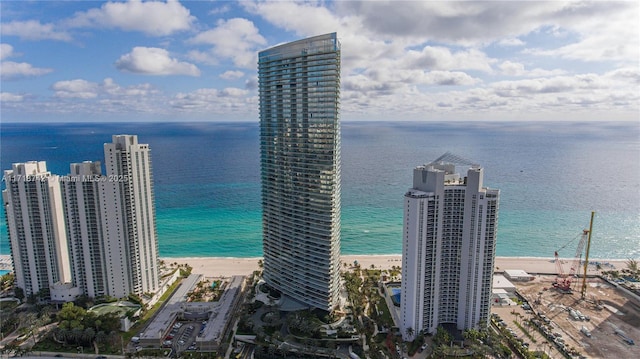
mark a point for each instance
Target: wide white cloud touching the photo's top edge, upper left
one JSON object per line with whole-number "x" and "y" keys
{"x": 151, "y": 17}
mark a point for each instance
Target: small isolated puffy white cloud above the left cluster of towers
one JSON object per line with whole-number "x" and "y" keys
{"x": 154, "y": 61}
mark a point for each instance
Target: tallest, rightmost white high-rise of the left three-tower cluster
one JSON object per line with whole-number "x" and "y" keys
{"x": 129, "y": 219}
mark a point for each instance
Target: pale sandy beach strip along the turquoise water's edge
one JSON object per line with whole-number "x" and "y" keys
{"x": 226, "y": 267}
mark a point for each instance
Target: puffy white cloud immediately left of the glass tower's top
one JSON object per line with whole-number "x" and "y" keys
{"x": 236, "y": 39}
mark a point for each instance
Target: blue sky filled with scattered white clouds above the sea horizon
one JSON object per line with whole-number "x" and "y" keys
{"x": 95, "y": 61}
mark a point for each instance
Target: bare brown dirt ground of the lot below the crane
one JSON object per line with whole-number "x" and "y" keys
{"x": 609, "y": 316}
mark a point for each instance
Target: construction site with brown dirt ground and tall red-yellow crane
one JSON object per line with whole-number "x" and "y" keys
{"x": 572, "y": 314}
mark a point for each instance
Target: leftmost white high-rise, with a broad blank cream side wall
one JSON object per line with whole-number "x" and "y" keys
{"x": 35, "y": 221}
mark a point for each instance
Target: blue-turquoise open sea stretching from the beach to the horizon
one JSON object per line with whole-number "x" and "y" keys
{"x": 207, "y": 180}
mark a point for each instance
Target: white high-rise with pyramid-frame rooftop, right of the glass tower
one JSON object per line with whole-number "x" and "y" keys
{"x": 448, "y": 248}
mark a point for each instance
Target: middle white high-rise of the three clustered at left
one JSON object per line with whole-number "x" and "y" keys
{"x": 81, "y": 193}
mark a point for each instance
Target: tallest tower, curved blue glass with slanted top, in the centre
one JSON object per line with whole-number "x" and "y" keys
{"x": 300, "y": 168}
